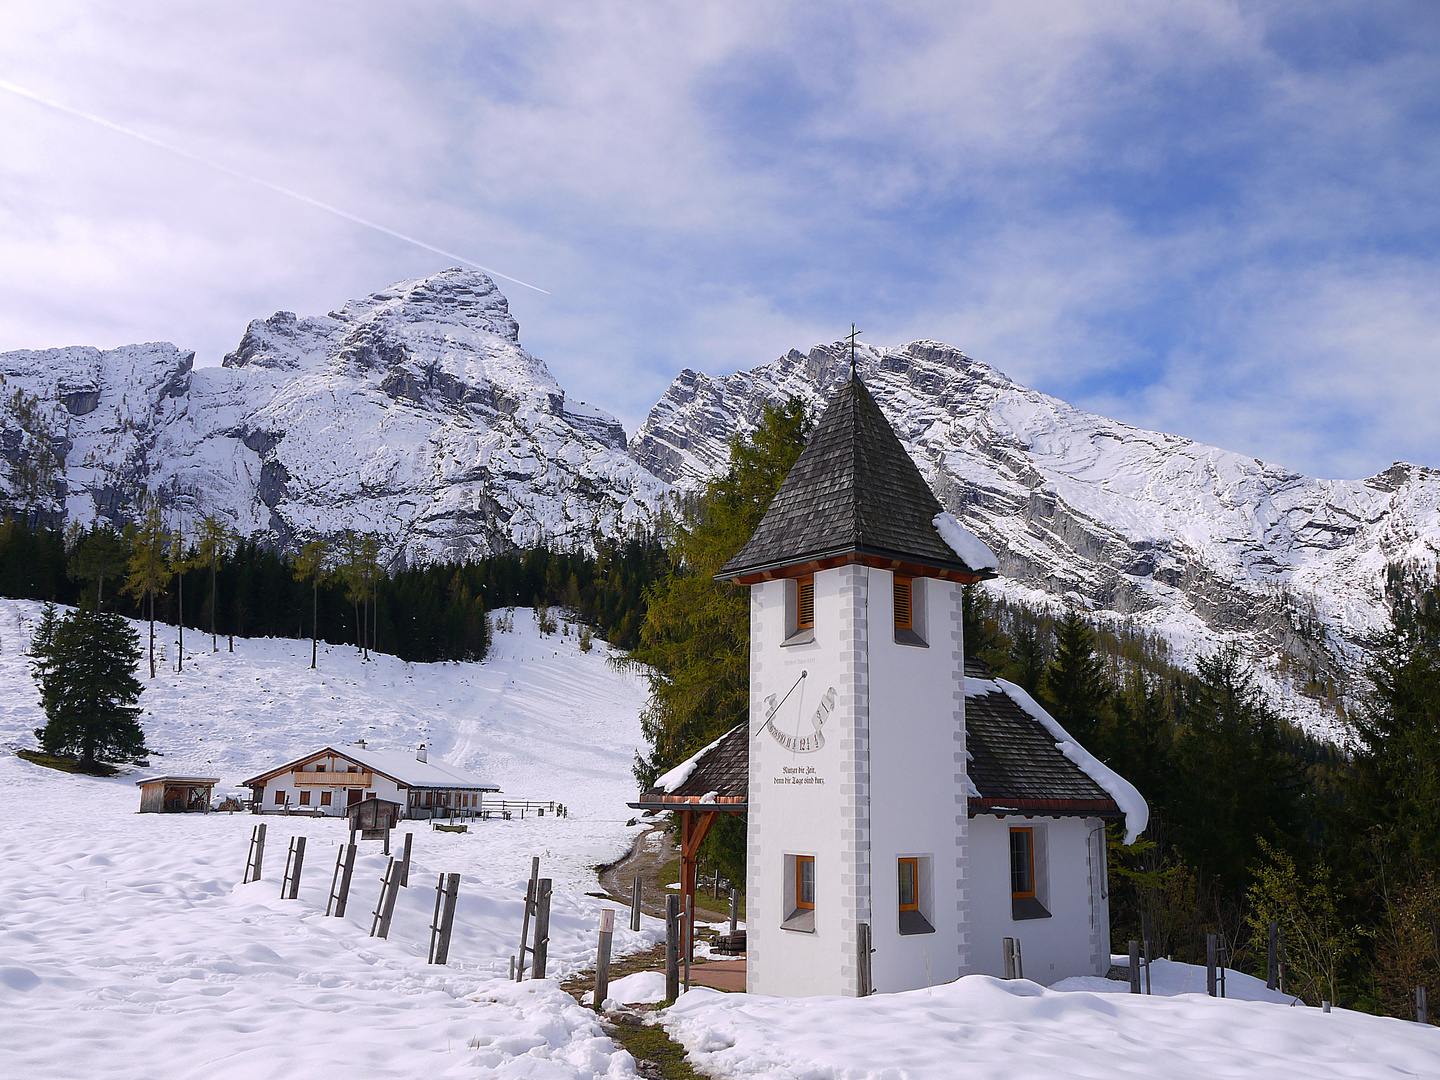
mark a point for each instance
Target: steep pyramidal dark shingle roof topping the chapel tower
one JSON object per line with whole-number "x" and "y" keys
{"x": 853, "y": 492}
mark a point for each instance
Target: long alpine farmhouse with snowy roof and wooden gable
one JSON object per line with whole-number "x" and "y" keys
{"x": 330, "y": 780}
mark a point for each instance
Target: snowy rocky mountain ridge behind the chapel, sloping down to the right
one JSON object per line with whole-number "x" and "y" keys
{"x": 1167, "y": 534}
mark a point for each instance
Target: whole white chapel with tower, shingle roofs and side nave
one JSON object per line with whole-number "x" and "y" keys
{"x": 899, "y": 800}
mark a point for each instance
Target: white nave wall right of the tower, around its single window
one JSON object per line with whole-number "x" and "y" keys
{"x": 1071, "y": 883}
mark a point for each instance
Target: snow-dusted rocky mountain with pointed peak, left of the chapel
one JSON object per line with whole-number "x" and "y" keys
{"x": 413, "y": 415}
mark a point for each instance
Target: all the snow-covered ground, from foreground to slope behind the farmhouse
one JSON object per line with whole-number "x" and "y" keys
{"x": 129, "y": 950}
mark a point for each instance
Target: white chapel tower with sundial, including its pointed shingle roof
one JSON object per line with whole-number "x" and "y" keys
{"x": 858, "y": 791}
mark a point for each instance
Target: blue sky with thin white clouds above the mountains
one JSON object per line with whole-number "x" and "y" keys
{"x": 1218, "y": 220}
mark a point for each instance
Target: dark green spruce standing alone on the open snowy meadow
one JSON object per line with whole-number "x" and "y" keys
{"x": 89, "y": 689}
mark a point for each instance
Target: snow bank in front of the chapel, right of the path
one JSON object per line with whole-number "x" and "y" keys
{"x": 984, "y": 1029}
